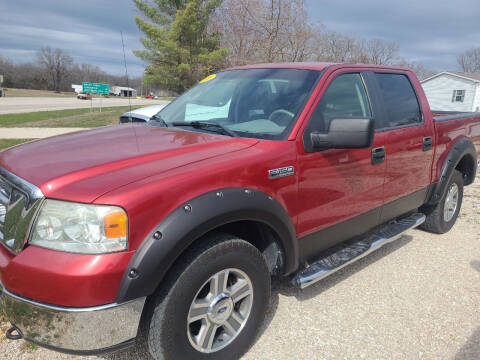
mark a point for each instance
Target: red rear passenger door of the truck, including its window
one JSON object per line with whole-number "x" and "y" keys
{"x": 408, "y": 144}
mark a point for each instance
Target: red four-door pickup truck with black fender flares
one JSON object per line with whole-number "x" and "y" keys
{"x": 166, "y": 236}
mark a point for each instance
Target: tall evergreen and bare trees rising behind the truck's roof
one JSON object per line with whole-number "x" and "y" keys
{"x": 188, "y": 39}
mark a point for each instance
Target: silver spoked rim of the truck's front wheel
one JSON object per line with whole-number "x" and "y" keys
{"x": 219, "y": 310}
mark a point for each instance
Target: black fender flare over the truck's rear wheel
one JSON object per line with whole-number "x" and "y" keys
{"x": 463, "y": 147}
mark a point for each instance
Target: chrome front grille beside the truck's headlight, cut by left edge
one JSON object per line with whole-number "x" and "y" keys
{"x": 19, "y": 201}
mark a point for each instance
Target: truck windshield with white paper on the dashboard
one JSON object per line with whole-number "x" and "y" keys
{"x": 259, "y": 103}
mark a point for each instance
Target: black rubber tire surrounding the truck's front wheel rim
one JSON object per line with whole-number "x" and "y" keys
{"x": 163, "y": 332}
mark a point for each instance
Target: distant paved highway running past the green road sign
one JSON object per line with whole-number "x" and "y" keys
{"x": 11, "y": 105}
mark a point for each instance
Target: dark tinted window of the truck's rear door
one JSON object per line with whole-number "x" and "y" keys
{"x": 401, "y": 104}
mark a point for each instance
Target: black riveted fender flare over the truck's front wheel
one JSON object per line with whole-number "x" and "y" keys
{"x": 178, "y": 230}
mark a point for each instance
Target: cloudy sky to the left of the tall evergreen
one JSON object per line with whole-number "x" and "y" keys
{"x": 88, "y": 30}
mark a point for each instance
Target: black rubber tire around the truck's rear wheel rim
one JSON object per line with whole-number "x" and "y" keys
{"x": 435, "y": 221}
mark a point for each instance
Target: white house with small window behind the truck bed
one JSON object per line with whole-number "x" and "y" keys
{"x": 453, "y": 91}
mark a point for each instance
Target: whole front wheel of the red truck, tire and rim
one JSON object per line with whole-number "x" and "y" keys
{"x": 214, "y": 303}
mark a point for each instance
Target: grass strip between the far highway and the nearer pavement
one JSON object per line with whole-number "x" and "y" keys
{"x": 65, "y": 118}
